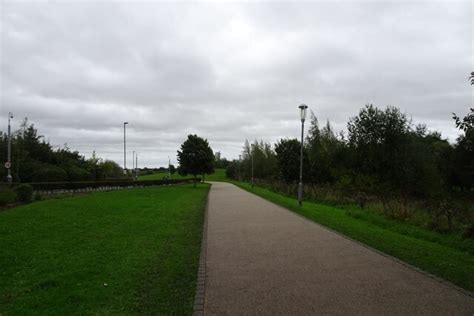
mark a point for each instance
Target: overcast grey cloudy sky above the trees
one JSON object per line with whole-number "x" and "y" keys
{"x": 226, "y": 71}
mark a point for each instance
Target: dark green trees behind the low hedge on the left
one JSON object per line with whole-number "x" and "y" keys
{"x": 35, "y": 160}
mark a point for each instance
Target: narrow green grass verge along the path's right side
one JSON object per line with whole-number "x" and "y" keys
{"x": 447, "y": 256}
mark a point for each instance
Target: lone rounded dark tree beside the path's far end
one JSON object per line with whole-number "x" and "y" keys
{"x": 195, "y": 157}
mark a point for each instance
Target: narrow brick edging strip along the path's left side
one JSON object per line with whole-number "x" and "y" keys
{"x": 200, "y": 294}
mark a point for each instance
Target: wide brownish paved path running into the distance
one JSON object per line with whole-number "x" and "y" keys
{"x": 265, "y": 260}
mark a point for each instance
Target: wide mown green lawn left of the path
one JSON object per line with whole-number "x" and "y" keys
{"x": 132, "y": 251}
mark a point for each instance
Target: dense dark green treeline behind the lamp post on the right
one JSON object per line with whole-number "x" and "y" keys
{"x": 382, "y": 156}
